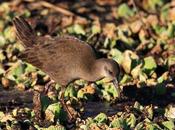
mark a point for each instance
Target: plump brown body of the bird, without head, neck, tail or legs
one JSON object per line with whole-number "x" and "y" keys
{"x": 63, "y": 58}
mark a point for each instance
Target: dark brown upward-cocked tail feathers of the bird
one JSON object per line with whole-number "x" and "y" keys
{"x": 24, "y": 32}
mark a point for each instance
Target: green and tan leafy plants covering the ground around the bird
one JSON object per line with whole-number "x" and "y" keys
{"x": 138, "y": 34}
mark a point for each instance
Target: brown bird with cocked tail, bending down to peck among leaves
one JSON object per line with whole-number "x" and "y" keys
{"x": 64, "y": 58}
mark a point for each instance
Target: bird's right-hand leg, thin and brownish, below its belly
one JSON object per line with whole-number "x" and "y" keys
{"x": 70, "y": 116}
